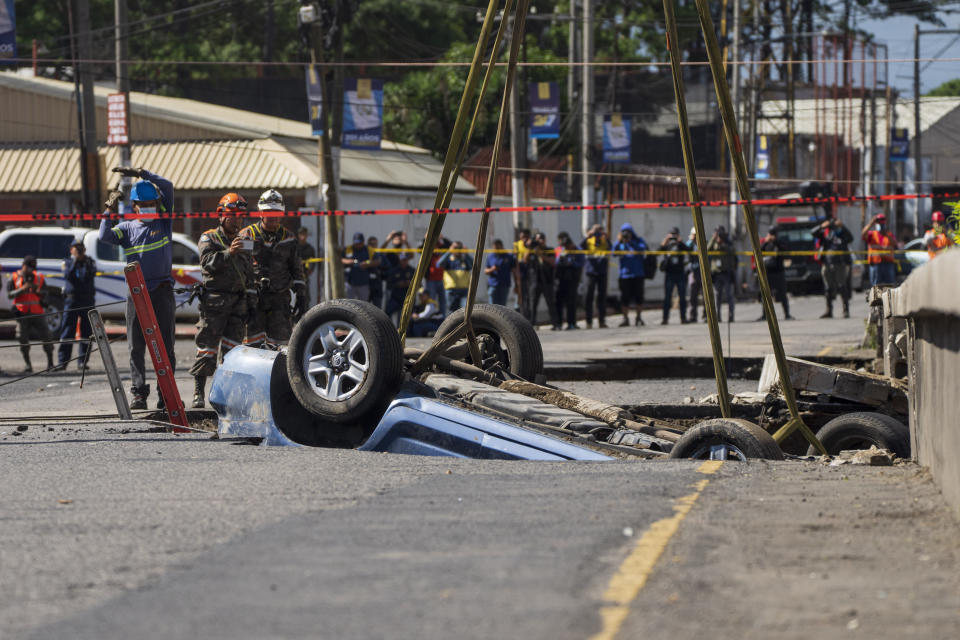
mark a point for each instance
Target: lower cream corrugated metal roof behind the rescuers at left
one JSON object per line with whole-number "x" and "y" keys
{"x": 222, "y": 165}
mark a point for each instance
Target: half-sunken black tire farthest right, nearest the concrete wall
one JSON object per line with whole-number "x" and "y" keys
{"x": 860, "y": 430}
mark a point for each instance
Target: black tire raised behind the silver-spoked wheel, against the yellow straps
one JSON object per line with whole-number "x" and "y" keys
{"x": 515, "y": 344}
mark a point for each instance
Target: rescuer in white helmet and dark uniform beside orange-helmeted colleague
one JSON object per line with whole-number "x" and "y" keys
{"x": 277, "y": 269}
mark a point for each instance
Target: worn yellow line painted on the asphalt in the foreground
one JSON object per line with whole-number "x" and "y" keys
{"x": 636, "y": 568}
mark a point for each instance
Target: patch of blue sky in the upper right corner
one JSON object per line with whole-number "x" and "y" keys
{"x": 897, "y": 34}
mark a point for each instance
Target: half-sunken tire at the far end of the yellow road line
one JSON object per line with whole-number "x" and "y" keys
{"x": 726, "y": 439}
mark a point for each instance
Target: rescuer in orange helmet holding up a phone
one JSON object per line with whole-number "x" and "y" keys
{"x": 229, "y": 291}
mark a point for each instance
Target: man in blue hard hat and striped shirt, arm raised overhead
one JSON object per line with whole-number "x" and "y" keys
{"x": 147, "y": 241}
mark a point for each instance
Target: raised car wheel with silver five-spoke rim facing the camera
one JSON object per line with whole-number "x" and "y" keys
{"x": 344, "y": 360}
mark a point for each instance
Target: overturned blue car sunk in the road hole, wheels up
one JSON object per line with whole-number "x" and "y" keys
{"x": 346, "y": 381}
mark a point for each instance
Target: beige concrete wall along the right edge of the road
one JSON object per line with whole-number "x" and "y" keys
{"x": 929, "y": 301}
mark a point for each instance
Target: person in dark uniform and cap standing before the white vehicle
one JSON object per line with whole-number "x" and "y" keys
{"x": 79, "y": 275}
